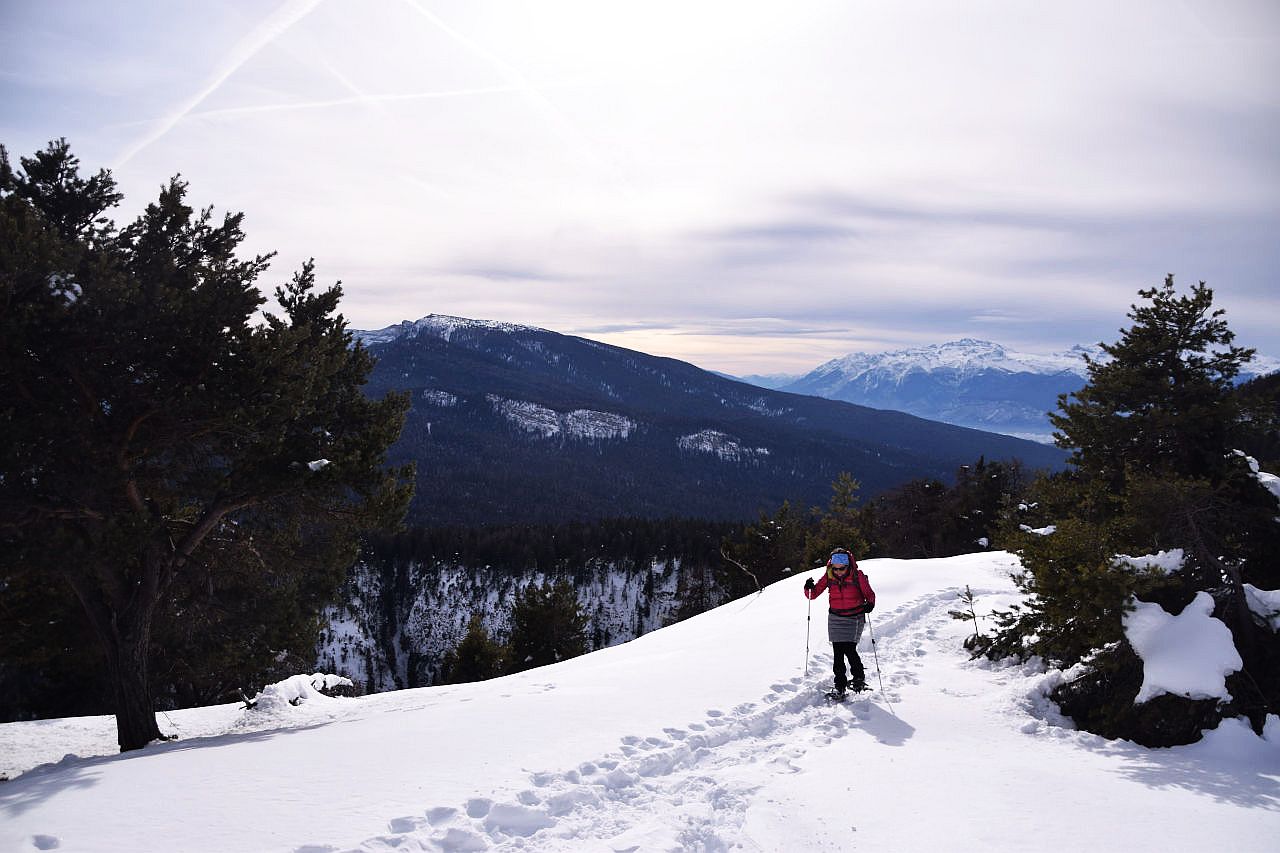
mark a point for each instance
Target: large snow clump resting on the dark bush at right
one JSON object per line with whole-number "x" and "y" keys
{"x": 1188, "y": 655}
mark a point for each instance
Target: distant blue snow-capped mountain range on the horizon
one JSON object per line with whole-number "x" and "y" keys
{"x": 970, "y": 384}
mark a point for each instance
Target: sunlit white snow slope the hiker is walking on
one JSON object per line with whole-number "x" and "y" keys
{"x": 707, "y": 736}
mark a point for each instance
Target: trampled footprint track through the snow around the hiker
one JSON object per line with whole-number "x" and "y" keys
{"x": 689, "y": 787}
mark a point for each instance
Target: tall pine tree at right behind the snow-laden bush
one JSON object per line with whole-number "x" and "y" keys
{"x": 1154, "y": 468}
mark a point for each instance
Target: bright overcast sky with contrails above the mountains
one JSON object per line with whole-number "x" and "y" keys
{"x": 753, "y": 188}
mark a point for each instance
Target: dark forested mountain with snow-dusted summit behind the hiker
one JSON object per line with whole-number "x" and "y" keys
{"x": 513, "y": 423}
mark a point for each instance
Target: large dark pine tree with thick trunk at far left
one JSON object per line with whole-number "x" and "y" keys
{"x": 156, "y": 432}
